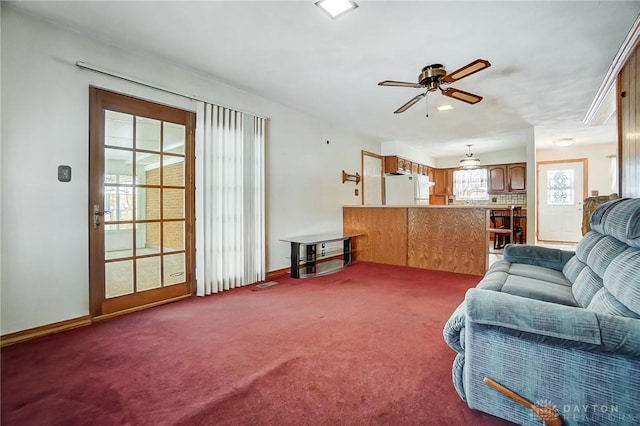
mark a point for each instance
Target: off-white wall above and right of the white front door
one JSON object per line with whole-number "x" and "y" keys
{"x": 598, "y": 163}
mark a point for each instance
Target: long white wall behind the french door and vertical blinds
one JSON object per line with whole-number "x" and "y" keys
{"x": 44, "y": 228}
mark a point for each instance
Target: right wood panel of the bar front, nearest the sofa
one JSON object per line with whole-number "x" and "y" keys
{"x": 448, "y": 239}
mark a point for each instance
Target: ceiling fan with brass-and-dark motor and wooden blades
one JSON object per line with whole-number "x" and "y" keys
{"x": 433, "y": 76}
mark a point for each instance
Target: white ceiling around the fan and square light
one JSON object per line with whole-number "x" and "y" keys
{"x": 548, "y": 60}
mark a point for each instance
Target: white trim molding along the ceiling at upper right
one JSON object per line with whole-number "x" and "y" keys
{"x": 604, "y": 104}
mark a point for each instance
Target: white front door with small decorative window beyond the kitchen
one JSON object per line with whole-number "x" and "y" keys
{"x": 561, "y": 192}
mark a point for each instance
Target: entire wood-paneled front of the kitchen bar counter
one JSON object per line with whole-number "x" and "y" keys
{"x": 443, "y": 238}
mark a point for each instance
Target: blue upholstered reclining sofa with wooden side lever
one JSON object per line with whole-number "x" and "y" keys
{"x": 558, "y": 328}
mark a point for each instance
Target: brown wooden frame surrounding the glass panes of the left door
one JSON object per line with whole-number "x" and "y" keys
{"x": 99, "y": 100}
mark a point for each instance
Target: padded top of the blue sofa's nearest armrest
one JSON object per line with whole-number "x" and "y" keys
{"x": 552, "y": 323}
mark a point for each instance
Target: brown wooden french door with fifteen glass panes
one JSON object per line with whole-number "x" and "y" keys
{"x": 141, "y": 203}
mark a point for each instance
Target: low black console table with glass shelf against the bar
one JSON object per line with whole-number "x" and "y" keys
{"x": 315, "y": 259}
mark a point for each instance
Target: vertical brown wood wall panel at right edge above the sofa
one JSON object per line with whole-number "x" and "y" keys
{"x": 628, "y": 107}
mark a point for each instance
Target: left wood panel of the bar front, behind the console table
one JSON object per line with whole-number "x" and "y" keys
{"x": 386, "y": 233}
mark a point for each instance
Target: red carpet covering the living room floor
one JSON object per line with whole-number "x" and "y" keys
{"x": 360, "y": 347}
